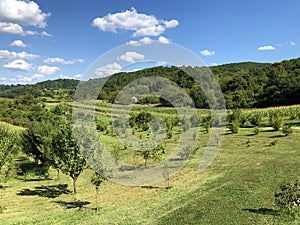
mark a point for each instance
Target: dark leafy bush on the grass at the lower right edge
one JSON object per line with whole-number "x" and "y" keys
{"x": 289, "y": 196}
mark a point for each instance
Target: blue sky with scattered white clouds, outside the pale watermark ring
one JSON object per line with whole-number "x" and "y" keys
{"x": 51, "y": 39}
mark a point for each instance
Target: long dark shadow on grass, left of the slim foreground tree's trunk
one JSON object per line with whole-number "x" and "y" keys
{"x": 51, "y": 191}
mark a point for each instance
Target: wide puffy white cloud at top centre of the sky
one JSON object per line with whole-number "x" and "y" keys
{"x": 141, "y": 24}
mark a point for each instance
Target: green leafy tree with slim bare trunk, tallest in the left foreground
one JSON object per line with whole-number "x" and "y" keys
{"x": 65, "y": 147}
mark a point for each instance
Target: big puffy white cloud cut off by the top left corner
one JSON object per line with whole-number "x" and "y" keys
{"x": 26, "y": 13}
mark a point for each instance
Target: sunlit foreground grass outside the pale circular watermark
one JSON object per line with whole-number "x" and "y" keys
{"x": 238, "y": 188}
